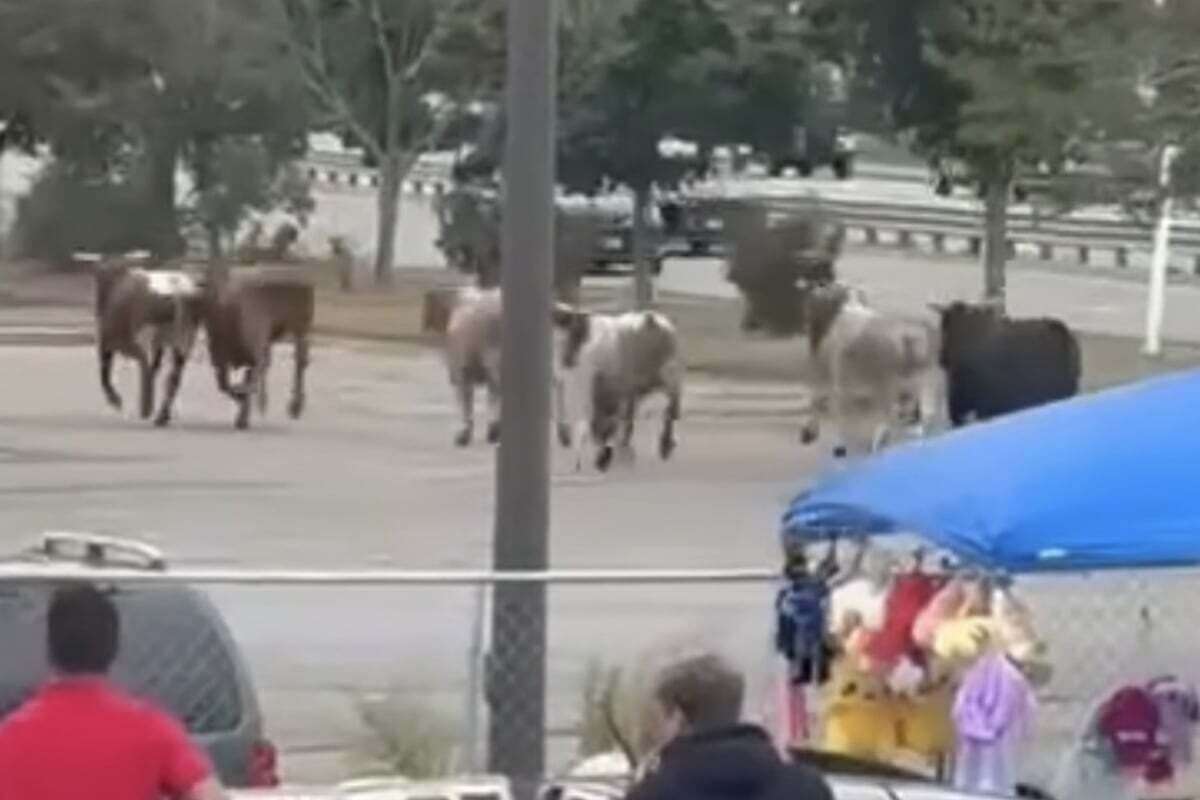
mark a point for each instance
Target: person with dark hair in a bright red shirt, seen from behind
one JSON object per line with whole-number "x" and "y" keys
{"x": 82, "y": 737}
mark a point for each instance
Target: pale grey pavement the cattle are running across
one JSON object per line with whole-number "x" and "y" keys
{"x": 370, "y": 479}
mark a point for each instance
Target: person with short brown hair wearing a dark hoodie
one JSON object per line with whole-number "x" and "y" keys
{"x": 706, "y": 754}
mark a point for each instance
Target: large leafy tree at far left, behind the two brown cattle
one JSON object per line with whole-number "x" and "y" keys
{"x": 122, "y": 91}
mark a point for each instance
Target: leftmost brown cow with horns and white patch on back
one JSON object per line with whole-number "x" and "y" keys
{"x": 140, "y": 314}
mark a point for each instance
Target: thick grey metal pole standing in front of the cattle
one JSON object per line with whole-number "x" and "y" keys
{"x": 518, "y": 665}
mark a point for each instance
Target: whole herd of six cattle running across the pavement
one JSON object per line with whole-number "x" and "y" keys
{"x": 874, "y": 376}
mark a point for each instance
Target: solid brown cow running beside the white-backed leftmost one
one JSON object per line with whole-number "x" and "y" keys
{"x": 247, "y": 311}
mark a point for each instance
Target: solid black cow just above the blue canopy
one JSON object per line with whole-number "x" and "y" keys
{"x": 995, "y": 365}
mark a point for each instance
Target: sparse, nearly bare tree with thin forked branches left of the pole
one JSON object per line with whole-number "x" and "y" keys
{"x": 382, "y": 74}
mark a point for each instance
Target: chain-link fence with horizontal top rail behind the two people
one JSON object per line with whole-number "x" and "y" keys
{"x": 422, "y": 672}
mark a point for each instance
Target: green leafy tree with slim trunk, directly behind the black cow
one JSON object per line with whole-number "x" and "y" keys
{"x": 995, "y": 86}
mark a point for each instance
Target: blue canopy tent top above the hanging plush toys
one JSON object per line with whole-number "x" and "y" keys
{"x": 1102, "y": 482}
